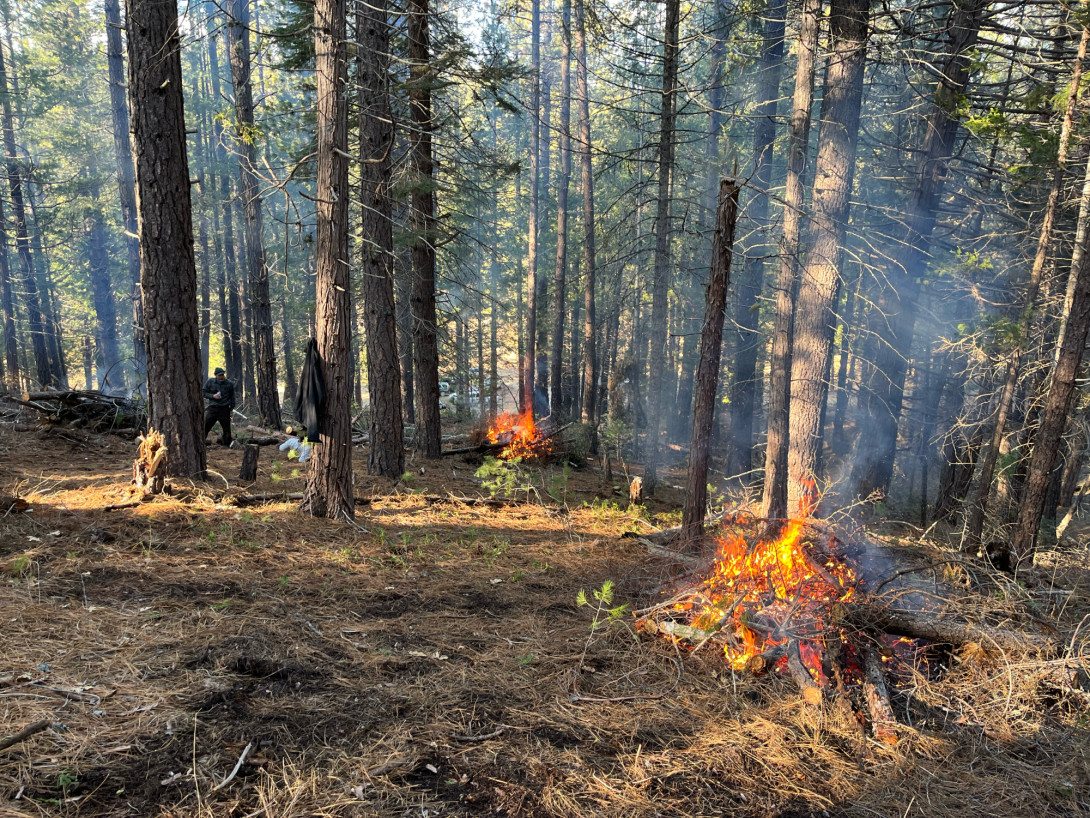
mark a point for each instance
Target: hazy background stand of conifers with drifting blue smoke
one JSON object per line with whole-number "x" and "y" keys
{"x": 915, "y": 227}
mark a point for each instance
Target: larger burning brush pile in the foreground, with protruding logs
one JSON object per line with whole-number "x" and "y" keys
{"x": 798, "y": 602}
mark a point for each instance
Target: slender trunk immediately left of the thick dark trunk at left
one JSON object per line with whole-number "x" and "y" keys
{"x": 127, "y": 175}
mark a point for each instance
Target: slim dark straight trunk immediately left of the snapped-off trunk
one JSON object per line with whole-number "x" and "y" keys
{"x": 662, "y": 282}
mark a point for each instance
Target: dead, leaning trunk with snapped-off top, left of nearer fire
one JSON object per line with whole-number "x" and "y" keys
{"x": 708, "y": 368}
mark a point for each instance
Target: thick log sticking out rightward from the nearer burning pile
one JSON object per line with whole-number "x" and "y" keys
{"x": 938, "y": 629}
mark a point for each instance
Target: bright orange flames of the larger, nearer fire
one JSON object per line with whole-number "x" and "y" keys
{"x": 773, "y": 592}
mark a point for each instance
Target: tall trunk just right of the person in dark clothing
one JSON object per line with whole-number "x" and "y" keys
{"x": 261, "y": 310}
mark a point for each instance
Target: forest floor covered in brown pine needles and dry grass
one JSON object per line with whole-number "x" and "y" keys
{"x": 433, "y": 661}
